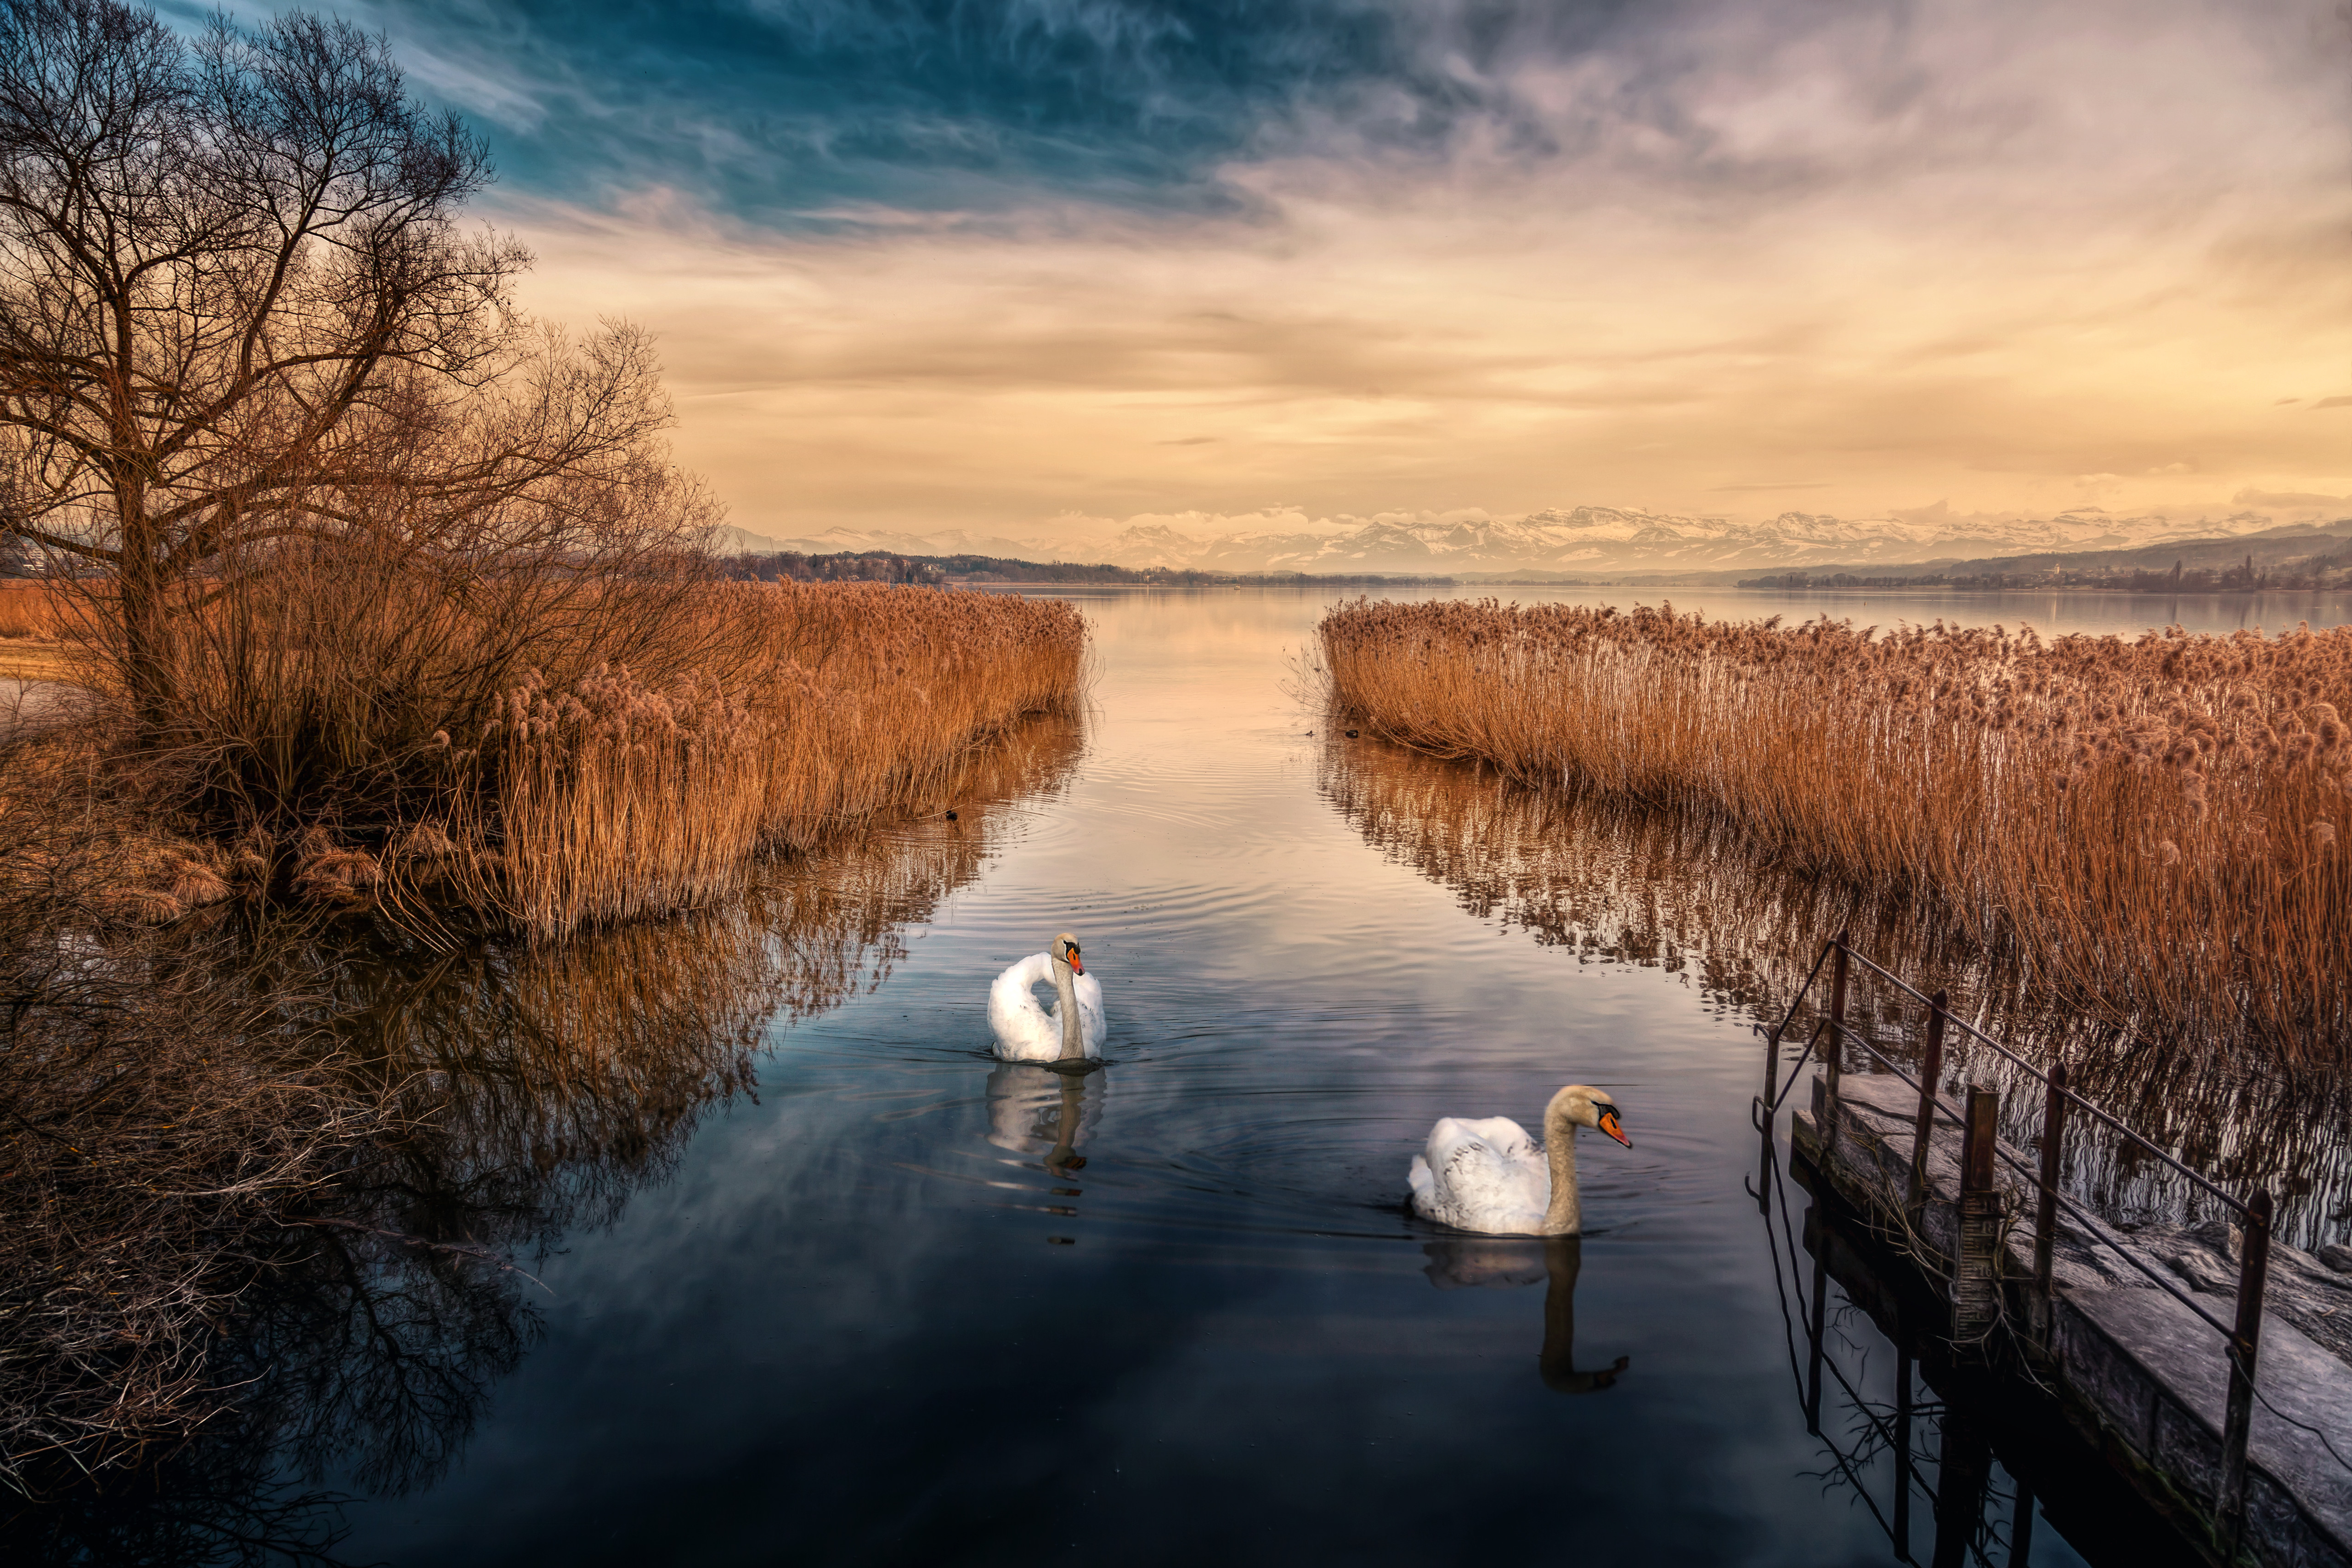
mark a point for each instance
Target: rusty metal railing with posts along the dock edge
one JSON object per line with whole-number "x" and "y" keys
{"x": 1977, "y": 1177}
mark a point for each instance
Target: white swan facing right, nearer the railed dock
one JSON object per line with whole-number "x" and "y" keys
{"x": 1495, "y": 1179}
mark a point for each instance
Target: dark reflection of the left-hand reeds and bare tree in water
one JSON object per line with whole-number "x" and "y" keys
{"x": 526, "y": 1094}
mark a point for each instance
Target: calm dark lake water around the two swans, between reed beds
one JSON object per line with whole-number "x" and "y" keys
{"x": 871, "y": 1311}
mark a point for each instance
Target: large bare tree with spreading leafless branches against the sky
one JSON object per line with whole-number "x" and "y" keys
{"x": 236, "y": 307}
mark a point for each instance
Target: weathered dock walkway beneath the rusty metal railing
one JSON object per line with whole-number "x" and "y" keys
{"x": 2137, "y": 1372}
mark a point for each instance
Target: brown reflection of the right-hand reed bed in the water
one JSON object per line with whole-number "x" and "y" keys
{"x": 1664, "y": 890}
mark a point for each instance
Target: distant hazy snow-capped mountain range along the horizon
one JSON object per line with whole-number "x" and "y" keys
{"x": 1582, "y": 542}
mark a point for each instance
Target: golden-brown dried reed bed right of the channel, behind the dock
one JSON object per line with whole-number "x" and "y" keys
{"x": 2151, "y": 824}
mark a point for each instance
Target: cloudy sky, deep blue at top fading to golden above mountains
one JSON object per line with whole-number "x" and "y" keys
{"x": 1057, "y": 267}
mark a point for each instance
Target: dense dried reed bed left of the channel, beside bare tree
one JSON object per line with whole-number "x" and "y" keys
{"x": 615, "y": 798}
